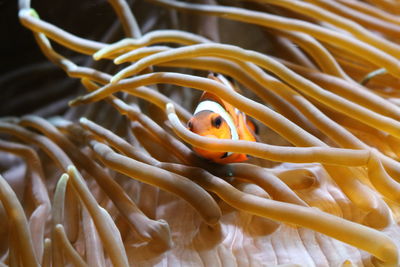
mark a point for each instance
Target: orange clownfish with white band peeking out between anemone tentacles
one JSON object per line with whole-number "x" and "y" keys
{"x": 216, "y": 118}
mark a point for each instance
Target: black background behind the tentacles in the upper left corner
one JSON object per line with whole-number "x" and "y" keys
{"x": 28, "y": 81}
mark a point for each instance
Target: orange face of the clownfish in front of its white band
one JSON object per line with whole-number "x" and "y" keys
{"x": 212, "y": 125}
